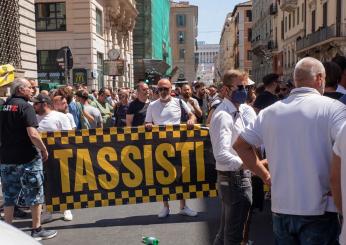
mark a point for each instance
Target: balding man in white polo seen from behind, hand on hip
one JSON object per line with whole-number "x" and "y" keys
{"x": 298, "y": 134}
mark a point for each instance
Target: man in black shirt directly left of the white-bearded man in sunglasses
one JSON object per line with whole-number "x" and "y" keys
{"x": 137, "y": 111}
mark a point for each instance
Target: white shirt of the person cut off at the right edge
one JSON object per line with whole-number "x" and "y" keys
{"x": 340, "y": 150}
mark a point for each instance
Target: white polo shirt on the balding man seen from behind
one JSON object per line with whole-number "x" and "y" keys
{"x": 298, "y": 134}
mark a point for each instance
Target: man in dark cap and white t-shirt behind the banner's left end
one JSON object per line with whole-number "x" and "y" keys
{"x": 49, "y": 121}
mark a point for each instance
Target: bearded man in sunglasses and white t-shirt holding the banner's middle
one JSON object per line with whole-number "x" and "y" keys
{"x": 164, "y": 111}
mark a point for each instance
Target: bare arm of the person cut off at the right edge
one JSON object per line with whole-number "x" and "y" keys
{"x": 335, "y": 182}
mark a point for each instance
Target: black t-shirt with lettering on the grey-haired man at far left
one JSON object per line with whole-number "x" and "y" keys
{"x": 16, "y": 147}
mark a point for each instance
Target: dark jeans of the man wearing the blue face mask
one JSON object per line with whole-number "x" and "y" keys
{"x": 236, "y": 195}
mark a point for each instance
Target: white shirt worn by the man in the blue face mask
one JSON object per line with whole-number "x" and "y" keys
{"x": 225, "y": 126}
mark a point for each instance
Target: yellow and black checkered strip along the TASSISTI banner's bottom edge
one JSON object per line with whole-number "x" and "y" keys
{"x": 98, "y": 199}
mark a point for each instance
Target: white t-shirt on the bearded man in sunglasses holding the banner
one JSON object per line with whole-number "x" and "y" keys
{"x": 165, "y": 113}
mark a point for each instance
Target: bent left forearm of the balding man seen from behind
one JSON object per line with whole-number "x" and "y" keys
{"x": 248, "y": 155}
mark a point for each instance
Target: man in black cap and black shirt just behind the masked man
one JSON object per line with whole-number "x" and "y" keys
{"x": 268, "y": 97}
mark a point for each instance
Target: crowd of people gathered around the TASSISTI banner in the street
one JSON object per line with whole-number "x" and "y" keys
{"x": 288, "y": 135}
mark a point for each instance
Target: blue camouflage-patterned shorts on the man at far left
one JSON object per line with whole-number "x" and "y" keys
{"x": 23, "y": 180}
